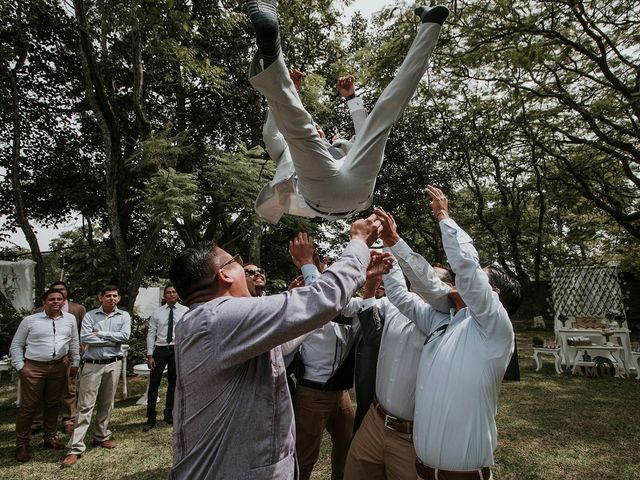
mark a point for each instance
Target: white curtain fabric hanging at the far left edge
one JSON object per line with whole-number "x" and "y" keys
{"x": 16, "y": 283}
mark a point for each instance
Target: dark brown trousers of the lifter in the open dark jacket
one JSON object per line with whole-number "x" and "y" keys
{"x": 314, "y": 411}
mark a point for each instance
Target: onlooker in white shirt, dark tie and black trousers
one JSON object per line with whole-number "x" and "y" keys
{"x": 160, "y": 354}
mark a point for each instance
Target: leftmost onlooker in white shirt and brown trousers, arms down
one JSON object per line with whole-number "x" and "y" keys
{"x": 40, "y": 350}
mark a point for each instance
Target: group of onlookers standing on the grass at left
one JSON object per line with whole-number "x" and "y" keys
{"x": 46, "y": 351}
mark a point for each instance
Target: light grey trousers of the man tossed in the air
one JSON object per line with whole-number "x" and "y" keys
{"x": 344, "y": 185}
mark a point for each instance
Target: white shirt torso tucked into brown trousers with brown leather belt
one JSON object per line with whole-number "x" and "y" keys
{"x": 398, "y": 358}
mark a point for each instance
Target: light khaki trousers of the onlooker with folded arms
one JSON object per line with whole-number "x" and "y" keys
{"x": 98, "y": 384}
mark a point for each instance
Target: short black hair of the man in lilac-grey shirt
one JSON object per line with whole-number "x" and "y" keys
{"x": 193, "y": 268}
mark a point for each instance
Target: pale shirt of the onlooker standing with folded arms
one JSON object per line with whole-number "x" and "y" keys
{"x": 112, "y": 329}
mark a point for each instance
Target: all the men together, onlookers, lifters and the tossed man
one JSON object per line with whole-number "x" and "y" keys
{"x": 426, "y": 361}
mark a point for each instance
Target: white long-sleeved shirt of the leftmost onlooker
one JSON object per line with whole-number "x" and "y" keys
{"x": 42, "y": 338}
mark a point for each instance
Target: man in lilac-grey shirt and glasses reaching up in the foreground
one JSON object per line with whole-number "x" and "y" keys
{"x": 233, "y": 416}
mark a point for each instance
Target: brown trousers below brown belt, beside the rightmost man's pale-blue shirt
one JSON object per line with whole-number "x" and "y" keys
{"x": 378, "y": 452}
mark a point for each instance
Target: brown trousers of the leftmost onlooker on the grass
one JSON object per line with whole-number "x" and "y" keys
{"x": 41, "y": 385}
